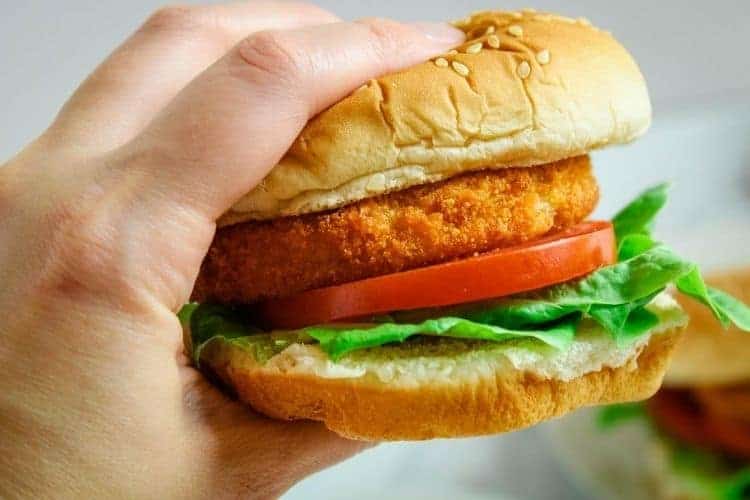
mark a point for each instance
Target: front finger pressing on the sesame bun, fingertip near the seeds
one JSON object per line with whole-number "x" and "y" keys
{"x": 223, "y": 133}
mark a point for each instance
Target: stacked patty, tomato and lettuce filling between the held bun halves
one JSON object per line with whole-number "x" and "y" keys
{"x": 605, "y": 315}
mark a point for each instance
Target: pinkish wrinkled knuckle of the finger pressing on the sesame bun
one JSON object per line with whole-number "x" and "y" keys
{"x": 274, "y": 55}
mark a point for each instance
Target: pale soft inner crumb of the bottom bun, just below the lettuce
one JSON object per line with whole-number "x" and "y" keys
{"x": 425, "y": 359}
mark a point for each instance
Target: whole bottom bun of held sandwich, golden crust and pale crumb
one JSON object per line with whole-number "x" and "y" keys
{"x": 423, "y": 399}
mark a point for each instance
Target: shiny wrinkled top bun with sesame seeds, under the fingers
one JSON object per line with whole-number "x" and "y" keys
{"x": 525, "y": 89}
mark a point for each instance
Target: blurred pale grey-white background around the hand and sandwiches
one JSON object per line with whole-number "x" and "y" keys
{"x": 695, "y": 58}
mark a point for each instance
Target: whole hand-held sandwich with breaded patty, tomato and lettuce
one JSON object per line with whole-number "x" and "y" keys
{"x": 420, "y": 264}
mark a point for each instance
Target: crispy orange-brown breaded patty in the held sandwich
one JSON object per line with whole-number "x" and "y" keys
{"x": 423, "y": 225}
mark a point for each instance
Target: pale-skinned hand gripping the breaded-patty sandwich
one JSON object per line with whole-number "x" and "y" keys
{"x": 104, "y": 221}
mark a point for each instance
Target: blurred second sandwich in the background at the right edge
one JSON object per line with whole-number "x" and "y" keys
{"x": 701, "y": 418}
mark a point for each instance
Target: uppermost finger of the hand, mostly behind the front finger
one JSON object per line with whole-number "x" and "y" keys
{"x": 157, "y": 61}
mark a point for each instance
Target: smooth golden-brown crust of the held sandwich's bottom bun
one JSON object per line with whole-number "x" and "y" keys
{"x": 369, "y": 409}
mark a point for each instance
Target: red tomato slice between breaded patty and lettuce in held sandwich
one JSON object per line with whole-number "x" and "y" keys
{"x": 569, "y": 254}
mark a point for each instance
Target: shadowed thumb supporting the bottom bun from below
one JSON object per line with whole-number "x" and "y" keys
{"x": 243, "y": 445}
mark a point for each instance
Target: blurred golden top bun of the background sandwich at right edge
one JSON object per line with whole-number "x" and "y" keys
{"x": 708, "y": 355}
